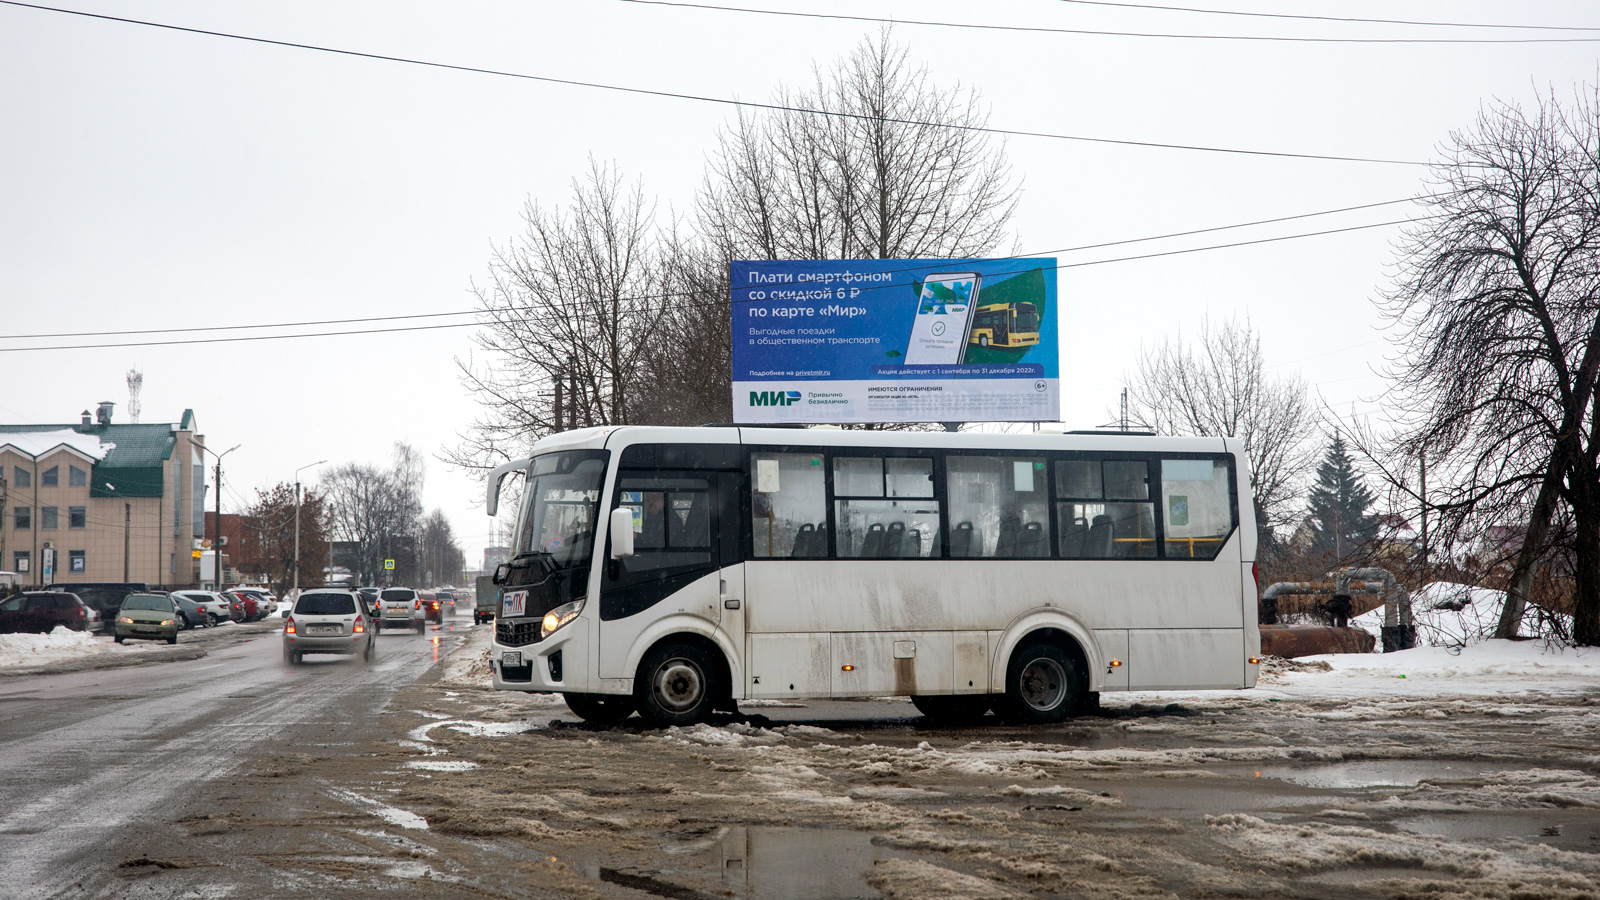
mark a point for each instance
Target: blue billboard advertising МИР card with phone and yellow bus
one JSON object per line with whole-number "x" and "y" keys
{"x": 895, "y": 340}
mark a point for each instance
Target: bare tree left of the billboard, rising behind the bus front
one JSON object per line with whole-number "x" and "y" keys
{"x": 569, "y": 316}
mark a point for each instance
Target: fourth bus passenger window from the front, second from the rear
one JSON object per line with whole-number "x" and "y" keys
{"x": 1094, "y": 524}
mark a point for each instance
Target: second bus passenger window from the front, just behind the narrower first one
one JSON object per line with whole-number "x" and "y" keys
{"x": 886, "y": 508}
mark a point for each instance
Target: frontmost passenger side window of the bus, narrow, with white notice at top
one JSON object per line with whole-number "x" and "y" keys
{"x": 788, "y": 505}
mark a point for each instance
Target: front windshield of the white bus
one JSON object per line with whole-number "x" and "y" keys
{"x": 561, "y": 505}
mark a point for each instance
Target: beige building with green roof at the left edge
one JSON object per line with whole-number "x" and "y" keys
{"x": 102, "y": 502}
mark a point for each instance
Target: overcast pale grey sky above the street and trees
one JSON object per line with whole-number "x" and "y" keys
{"x": 164, "y": 180}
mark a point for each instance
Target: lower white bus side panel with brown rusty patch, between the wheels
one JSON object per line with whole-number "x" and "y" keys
{"x": 894, "y": 664}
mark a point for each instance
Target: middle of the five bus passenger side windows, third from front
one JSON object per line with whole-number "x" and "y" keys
{"x": 998, "y": 507}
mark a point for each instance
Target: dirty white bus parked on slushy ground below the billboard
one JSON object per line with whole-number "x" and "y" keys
{"x": 676, "y": 571}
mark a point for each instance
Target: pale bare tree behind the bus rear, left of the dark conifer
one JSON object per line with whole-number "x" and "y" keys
{"x": 1220, "y": 387}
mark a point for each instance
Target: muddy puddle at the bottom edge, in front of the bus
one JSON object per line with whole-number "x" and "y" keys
{"x": 761, "y": 864}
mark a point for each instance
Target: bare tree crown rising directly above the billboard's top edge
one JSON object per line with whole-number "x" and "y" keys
{"x": 898, "y": 169}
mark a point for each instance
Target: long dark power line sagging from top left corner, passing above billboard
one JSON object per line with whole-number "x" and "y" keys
{"x": 702, "y": 98}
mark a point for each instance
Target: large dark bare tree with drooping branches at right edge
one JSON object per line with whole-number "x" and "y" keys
{"x": 1498, "y": 300}
